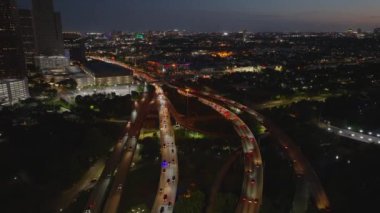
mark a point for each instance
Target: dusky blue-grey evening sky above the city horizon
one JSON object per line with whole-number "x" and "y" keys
{"x": 217, "y": 15}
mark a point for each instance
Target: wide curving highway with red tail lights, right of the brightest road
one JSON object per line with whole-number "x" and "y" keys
{"x": 252, "y": 189}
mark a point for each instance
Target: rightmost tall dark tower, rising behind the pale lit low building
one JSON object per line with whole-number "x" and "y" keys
{"x": 48, "y": 28}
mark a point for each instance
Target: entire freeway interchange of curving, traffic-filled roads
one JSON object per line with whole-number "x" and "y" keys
{"x": 106, "y": 195}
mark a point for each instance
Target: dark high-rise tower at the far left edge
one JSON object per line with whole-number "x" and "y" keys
{"x": 12, "y": 60}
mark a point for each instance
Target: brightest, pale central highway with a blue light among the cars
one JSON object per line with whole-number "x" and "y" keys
{"x": 167, "y": 191}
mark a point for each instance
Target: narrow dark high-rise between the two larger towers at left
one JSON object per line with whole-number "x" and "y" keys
{"x": 27, "y": 36}
